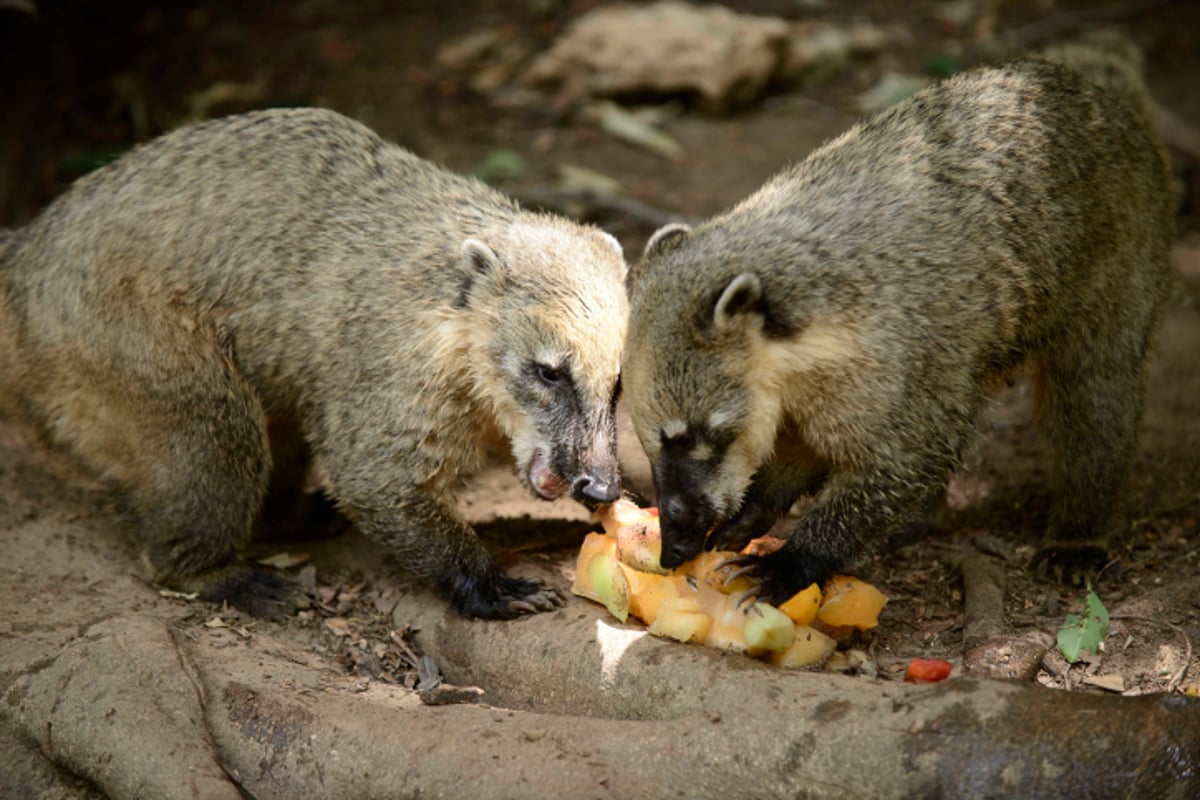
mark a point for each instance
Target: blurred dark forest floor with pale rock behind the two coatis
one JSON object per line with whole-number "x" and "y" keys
{"x": 623, "y": 115}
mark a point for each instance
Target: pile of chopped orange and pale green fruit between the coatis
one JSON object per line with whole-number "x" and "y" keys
{"x": 700, "y": 603}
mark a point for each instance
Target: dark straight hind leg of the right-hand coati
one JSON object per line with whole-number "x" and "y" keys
{"x": 1091, "y": 406}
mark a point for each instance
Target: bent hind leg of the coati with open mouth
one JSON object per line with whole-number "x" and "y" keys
{"x": 184, "y": 437}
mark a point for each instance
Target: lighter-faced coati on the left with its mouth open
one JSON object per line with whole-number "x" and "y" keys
{"x": 292, "y": 266}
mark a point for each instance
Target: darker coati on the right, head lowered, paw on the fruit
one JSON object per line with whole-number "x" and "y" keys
{"x": 838, "y": 332}
